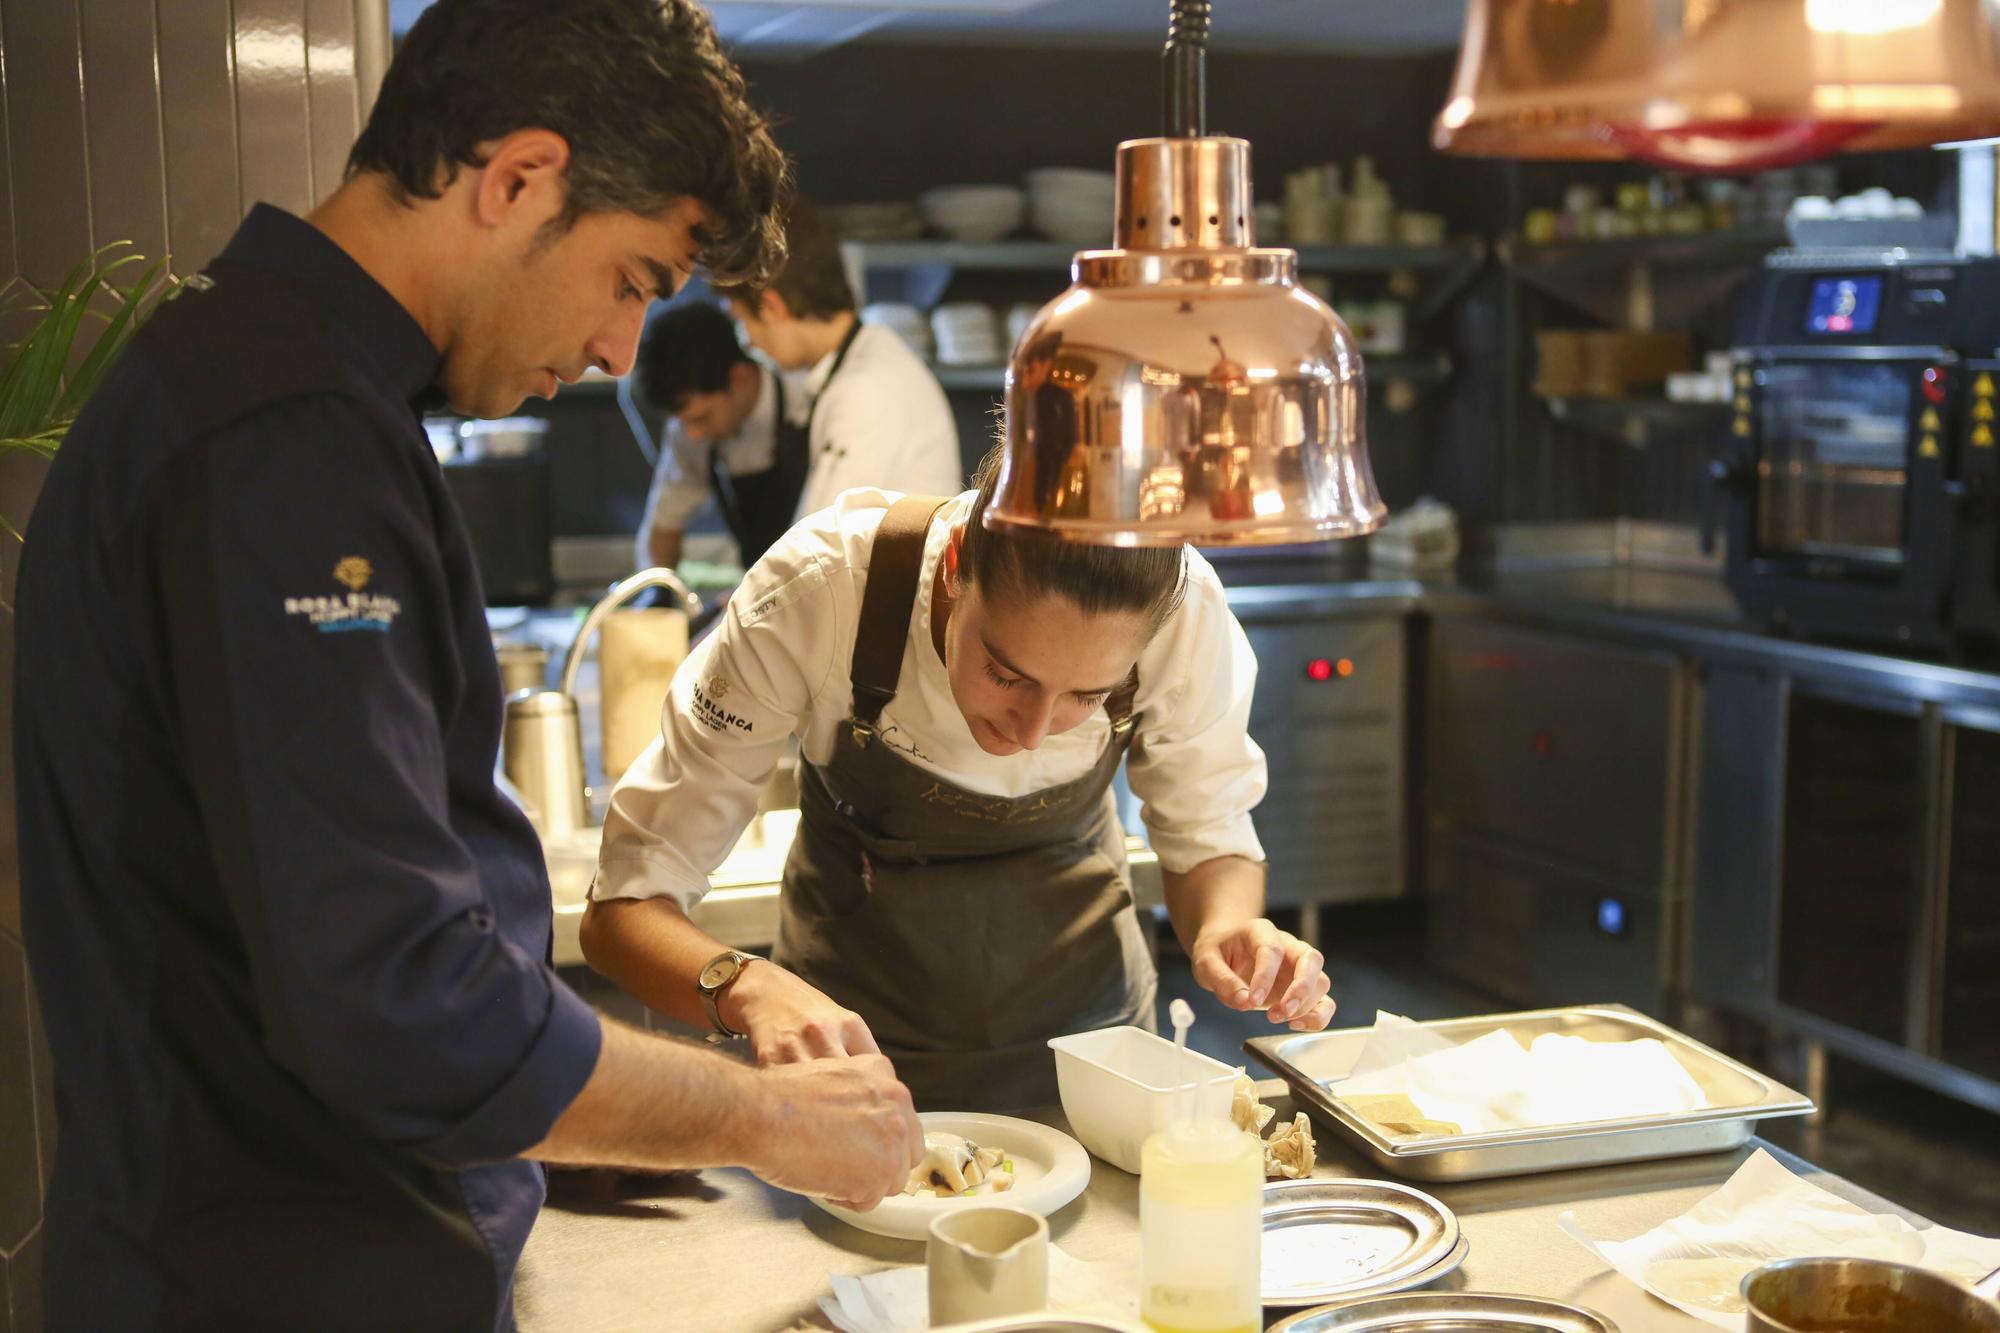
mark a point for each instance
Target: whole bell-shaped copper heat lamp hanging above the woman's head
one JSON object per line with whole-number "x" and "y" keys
{"x": 1185, "y": 389}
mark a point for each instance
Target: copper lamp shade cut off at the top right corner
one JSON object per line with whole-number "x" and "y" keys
{"x": 1721, "y": 85}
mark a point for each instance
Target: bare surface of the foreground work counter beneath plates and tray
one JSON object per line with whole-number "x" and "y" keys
{"x": 723, "y": 1252}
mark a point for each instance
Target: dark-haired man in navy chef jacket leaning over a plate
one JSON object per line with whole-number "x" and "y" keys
{"x": 291, "y": 942}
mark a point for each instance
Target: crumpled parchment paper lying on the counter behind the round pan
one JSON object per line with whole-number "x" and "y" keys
{"x": 1699, "y": 1260}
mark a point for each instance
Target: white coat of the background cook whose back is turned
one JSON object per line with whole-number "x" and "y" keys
{"x": 883, "y": 421}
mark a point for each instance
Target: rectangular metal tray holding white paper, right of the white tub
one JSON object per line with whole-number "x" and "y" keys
{"x": 1737, "y": 1100}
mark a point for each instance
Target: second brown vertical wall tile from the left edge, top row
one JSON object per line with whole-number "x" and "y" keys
{"x": 123, "y": 121}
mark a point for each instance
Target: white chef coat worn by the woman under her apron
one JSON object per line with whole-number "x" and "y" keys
{"x": 777, "y": 665}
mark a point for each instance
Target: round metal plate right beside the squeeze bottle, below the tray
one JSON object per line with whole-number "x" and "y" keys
{"x": 1329, "y": 1240}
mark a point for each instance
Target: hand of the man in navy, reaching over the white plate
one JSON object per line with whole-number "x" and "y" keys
{"x": 841, "y": 1130}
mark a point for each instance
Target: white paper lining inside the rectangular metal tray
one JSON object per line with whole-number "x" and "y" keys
{"x": 1419, "y": 1084}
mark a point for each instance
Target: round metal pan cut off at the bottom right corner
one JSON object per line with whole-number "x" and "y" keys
{"x": 1861, "y": 1296}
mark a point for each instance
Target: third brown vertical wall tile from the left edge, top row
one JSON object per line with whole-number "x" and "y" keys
{"x": 199, "y": 127}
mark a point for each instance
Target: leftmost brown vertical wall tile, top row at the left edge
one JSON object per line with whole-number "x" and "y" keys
{"x": 47, "y": 137}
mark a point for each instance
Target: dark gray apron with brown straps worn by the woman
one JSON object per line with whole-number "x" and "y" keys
{"x": 965, "y": 930}
